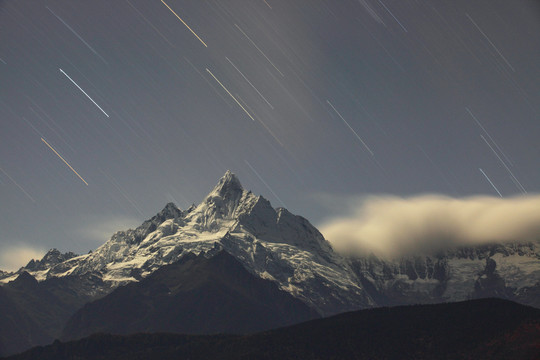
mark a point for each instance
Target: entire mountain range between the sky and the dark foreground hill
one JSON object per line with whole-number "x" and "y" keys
{"x": 234, "y": 264}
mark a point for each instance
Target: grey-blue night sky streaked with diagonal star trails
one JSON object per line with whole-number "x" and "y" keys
{"x": 111, "y": 109}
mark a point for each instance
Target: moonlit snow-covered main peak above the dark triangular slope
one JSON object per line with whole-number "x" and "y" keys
{"x": 271, "y": 243}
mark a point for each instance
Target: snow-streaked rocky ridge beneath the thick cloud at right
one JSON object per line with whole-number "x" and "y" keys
{"x": 497, "y": 270}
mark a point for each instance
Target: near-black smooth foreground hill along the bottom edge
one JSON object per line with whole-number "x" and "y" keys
{"x": 477, "y": 329}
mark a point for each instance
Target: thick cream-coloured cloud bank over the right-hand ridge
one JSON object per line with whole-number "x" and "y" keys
{"x": 392, "y": 226}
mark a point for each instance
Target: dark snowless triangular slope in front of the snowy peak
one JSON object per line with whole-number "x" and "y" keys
{"x": 196, "y": 295}
